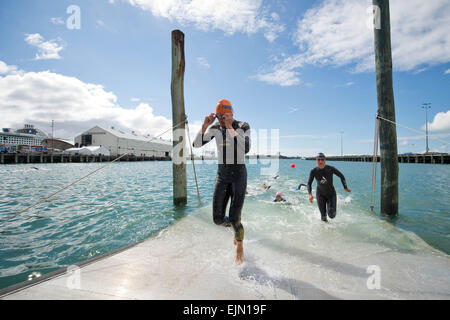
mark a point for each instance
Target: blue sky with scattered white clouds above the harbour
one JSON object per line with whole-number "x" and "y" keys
{"x": 301, "y": 69}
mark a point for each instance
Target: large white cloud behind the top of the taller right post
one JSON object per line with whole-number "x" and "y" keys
{"x": 335, "y": 33}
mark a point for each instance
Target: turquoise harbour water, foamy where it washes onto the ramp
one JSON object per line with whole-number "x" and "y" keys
{"x": 128, "y": 202}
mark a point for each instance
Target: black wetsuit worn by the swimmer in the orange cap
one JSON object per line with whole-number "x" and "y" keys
{"x": 231, "y": 181}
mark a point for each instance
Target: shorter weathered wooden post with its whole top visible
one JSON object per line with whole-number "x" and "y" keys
{"x": 178, "y": 118}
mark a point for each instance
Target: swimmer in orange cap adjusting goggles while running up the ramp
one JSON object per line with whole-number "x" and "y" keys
{"x": 233, "y": 142}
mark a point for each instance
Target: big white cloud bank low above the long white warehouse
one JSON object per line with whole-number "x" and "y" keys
{"x": 40, "y": 97}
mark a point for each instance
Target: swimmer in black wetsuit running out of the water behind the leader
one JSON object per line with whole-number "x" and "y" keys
{"x": 325, "y": 192}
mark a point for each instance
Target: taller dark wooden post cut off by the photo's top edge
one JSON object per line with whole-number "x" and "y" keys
{"x": 386, "y": 108}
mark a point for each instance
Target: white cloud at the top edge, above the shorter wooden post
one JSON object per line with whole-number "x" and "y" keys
{"x": 247, "y": 16}
